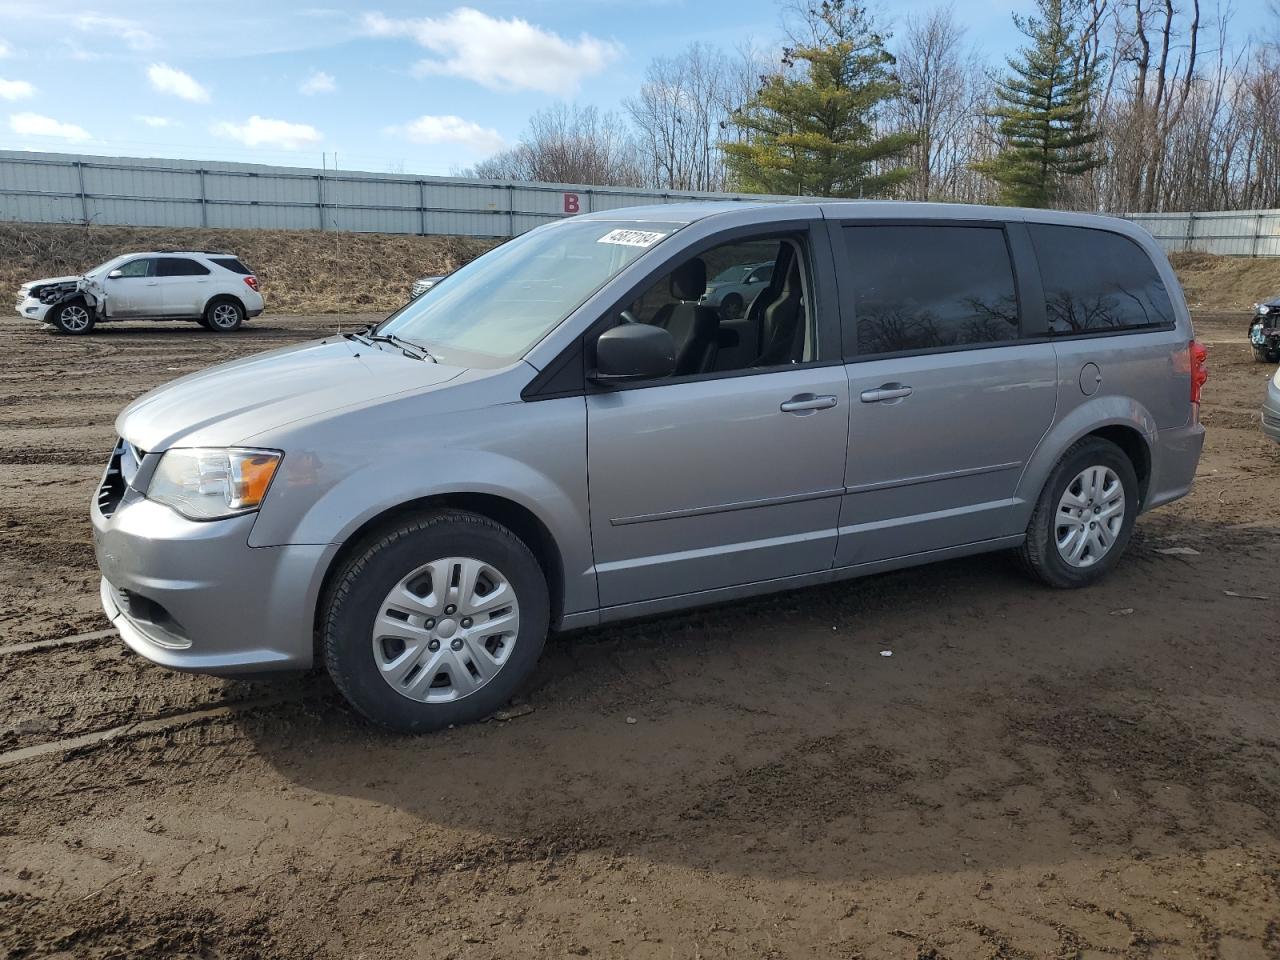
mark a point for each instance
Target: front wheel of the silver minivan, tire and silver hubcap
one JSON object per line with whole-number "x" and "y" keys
{"x": 437, "y": 621}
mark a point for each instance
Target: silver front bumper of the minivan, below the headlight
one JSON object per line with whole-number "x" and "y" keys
{"x": 196, "y": 597}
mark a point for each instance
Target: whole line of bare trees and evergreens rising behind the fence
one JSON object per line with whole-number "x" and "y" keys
{"x": 1117, "y": 106}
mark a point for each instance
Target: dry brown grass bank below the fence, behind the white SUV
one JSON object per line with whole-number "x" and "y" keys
{"x": 300, "y": 271}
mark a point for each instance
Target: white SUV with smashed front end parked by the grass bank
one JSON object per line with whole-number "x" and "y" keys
{"x": 211, "y": 287}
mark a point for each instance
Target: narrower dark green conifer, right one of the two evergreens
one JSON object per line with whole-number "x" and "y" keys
{"x": 1044, "y": 112}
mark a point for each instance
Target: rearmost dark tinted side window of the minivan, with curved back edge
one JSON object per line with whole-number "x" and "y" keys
{"x": 1098, "y": 281}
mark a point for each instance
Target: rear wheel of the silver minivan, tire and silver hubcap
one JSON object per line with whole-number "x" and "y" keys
{"x": 1085, "y": 516}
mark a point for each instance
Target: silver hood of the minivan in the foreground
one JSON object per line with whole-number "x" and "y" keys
{"x": 230, "y": 404}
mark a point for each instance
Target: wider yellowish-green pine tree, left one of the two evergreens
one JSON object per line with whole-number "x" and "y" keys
{"x": 811, "y": 127}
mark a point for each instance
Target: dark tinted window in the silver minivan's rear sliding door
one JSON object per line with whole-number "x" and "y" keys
{"x": 926, "y": 287}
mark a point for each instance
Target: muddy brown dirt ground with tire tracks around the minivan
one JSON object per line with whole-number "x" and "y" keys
{"x": 1031, "y": 775}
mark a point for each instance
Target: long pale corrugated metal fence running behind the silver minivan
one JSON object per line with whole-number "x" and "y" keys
{"x": 138, "y": 193}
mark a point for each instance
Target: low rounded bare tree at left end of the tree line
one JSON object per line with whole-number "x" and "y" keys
{"x": 569, "y": 144}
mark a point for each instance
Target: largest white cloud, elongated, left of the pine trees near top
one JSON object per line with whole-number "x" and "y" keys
{"x": 497, "y": 53}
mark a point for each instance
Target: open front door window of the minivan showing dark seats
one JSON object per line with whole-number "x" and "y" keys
{"x": 738, "y": 307}
